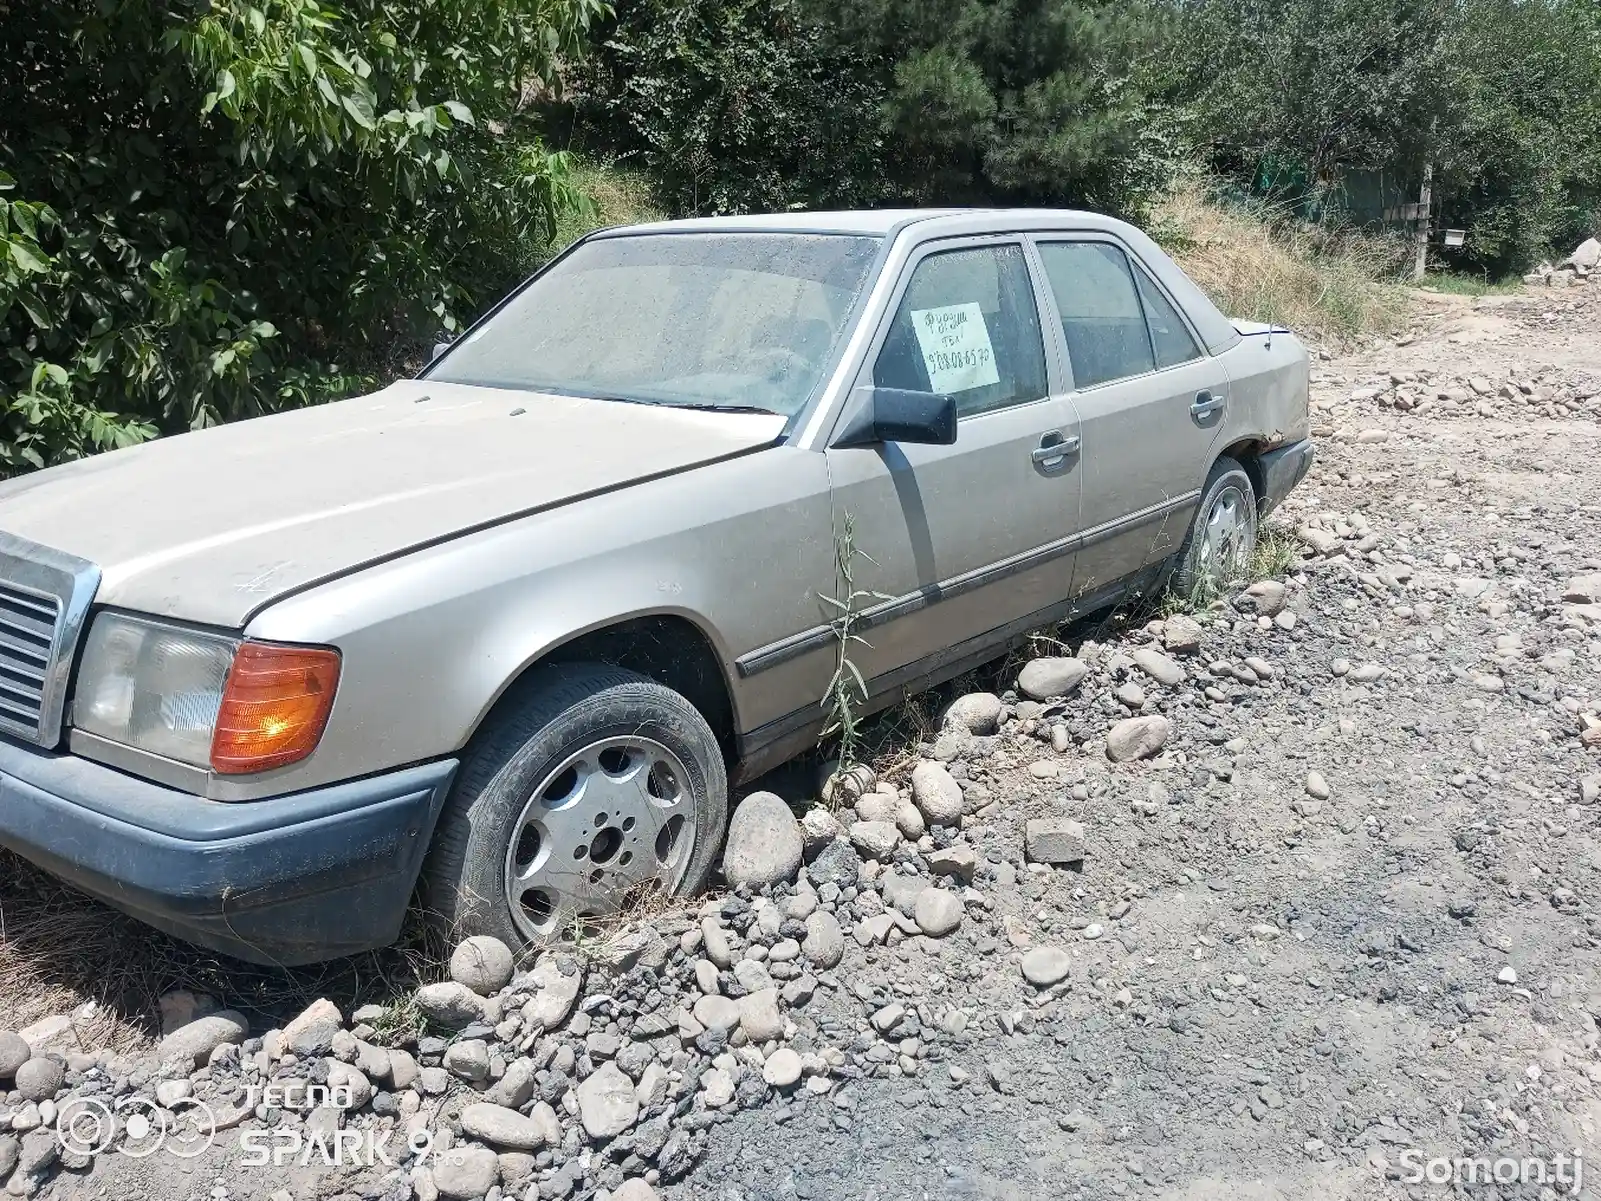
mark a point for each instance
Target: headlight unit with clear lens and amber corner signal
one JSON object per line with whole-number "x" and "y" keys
{"x": 203, "y": 699}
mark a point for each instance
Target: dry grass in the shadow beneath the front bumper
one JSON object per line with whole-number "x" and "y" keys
{"x": 62, "y": 950}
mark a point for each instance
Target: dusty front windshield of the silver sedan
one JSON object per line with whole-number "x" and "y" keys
{"x": 702, "y": 321}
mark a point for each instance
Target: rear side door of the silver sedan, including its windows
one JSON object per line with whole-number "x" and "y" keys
{"x": 1150, "y": 408}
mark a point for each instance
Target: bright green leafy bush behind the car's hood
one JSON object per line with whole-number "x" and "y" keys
{"x": 214, "y": 209}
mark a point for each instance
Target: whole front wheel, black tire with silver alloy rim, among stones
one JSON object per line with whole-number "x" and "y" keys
{"x": 619, "y": 763}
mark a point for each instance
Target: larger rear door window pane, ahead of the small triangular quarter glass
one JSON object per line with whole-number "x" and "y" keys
{"x": 1102, "y": 318}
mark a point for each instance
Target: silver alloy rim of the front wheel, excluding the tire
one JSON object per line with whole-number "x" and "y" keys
{"x": 609, "y": 824}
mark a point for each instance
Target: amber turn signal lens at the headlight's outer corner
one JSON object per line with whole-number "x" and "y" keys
{"x": 275, "y": 709}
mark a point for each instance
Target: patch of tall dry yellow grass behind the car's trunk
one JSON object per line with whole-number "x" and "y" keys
{"x": 1259, "y": 263}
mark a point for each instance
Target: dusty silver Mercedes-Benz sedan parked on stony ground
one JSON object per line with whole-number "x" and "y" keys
{"x": 512, "y": 629}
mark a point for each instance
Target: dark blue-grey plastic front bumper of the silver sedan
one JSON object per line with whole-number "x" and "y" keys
{"x": 284, "y": 882}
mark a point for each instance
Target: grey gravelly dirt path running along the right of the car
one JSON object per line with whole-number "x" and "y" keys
{"x": 1298, "y": 992}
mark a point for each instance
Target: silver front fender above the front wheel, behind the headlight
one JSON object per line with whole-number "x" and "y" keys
{"x": 431, "y": 641}
